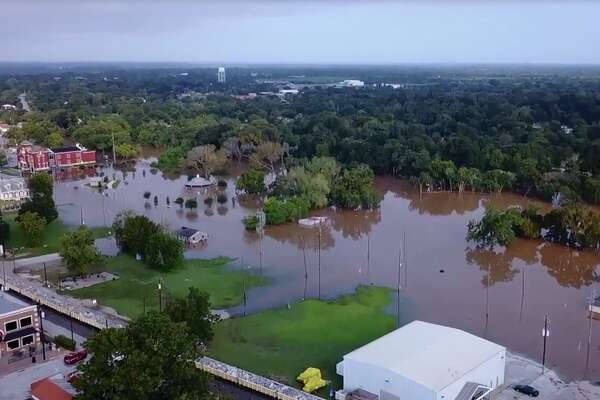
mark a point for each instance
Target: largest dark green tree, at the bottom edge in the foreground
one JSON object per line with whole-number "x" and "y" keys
{"x": 151, "y": 358}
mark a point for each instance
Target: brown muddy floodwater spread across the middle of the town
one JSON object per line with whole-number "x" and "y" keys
{"x": 517, "y": 286}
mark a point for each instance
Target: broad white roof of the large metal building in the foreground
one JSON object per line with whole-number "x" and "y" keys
{"x": 432, "y": 355}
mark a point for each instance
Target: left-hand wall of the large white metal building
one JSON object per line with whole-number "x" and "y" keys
{"x": 373, "y": 379}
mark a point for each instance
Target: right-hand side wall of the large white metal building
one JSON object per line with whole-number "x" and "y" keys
{"x": 490, "y": 373}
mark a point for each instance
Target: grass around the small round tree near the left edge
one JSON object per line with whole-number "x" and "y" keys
{"x": 50, "y": 240}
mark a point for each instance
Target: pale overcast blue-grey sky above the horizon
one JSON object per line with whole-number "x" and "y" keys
{"x": 301, "y": 31}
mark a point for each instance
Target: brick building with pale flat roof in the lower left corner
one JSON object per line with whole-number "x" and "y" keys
{"x": 18, "y": 326}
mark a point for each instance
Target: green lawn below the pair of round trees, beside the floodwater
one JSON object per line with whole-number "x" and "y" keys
{"x": 137, "y": 285}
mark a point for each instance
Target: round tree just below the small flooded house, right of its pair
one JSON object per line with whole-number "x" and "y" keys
{"x": 163, "y": 251}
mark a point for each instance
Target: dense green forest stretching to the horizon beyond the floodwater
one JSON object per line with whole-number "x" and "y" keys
{"x": 532, "y": 131}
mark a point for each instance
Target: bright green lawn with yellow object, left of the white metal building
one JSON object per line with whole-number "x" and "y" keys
{"x": 281, "y": 343}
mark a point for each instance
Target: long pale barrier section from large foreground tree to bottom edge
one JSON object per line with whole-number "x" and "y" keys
{"x": 252, "y": 381}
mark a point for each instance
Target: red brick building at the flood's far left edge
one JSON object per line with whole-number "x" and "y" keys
{"x": 35, "y": 158}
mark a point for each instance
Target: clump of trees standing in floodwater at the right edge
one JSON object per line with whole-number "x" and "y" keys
{"x": 572, "y": 225}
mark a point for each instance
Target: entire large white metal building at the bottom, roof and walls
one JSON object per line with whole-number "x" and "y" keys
{"x": 423, "y": 361}
